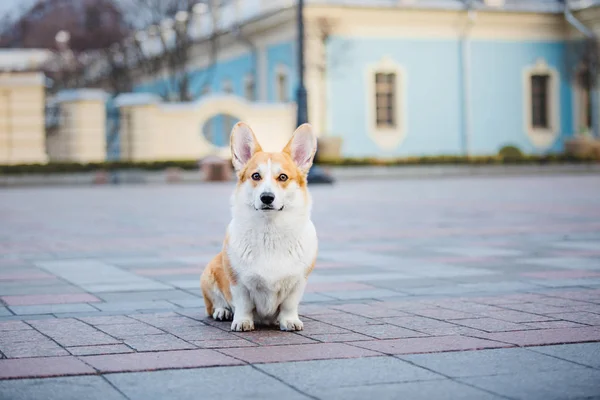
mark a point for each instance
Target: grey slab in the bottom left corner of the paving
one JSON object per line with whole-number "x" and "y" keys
{"x": 69, "y": 388}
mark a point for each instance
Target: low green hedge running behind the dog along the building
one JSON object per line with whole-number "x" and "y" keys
{"x": 189, "y": 165}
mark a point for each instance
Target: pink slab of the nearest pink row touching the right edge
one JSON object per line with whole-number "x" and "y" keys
{"x": 546, "y": 336}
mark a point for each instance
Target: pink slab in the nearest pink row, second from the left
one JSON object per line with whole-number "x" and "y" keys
{"x": 158, "y": 360}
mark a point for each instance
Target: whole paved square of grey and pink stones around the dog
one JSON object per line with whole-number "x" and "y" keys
{"x": 466, "y": 288}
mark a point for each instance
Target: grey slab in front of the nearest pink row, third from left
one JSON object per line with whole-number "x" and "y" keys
{"x": 315, "y": 375}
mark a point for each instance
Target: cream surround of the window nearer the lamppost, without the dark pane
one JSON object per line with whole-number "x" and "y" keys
{"x": 392, "y": 137}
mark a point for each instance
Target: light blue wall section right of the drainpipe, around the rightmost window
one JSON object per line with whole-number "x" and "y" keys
{"x": 497, "y": 93}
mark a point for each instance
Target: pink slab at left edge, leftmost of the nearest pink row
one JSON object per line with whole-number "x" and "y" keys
{"x": 43, "y": 367}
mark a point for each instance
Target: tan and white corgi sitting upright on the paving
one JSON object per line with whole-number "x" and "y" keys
{"x": 270, "y": 246}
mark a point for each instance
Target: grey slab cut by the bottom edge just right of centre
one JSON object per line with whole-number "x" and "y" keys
{"x": 429, "y": 390}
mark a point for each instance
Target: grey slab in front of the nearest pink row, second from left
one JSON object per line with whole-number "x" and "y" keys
{"x": 207, "y": 383}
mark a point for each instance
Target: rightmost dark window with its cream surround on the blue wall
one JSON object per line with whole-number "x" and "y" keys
{"x": 541, "y": 107}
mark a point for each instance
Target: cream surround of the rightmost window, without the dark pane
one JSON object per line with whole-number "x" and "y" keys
{"x": 542, "y": 137}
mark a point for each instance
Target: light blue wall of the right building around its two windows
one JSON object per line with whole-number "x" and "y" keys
{"x": 434, "y": 94}
